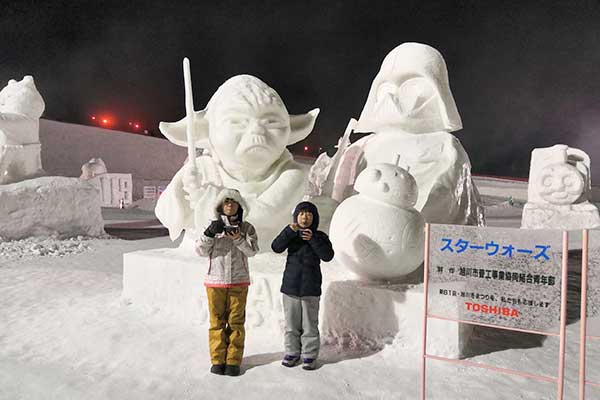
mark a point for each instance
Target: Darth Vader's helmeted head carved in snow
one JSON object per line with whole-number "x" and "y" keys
{"x": 411, "y": 93}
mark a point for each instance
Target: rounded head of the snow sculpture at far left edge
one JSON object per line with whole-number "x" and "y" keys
{"x": 22, "y": 98}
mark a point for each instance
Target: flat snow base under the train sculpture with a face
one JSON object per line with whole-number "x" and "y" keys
{"x": 568, "y": 217}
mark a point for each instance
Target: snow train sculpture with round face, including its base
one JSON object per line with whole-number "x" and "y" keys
{"x": 559, "y": 190}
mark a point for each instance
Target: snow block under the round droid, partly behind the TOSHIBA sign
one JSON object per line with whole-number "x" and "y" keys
{"x": 358, "y": 314}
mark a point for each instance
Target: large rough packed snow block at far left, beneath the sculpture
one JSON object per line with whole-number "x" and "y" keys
{"x": 50, "y": 206}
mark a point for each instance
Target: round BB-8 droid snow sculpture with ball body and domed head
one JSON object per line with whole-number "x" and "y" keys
{"x": 378, "y": 234}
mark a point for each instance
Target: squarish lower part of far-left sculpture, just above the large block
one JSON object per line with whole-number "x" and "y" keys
{"x": 19, "y": 162}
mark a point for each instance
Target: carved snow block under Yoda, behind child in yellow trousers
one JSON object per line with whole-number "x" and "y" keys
{"x": 171, "y": 281}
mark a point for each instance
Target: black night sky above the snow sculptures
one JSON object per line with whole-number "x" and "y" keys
{"x": 523, "y": 75}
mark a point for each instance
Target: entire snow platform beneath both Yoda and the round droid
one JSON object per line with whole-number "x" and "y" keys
{"x": 352, "y": 313}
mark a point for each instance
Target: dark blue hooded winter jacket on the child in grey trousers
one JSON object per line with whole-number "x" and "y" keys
{"x": 302, "y": 275}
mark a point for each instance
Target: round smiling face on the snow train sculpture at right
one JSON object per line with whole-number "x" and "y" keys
{"x": 560, "y": 184}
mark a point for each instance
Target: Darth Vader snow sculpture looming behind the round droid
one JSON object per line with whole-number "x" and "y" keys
{"x": 411, "y": 111}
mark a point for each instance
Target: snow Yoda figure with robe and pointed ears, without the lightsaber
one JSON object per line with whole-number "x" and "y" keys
{"x": 244, "y": 131}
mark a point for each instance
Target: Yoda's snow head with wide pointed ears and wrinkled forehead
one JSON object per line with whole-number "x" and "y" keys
{"x": 245, "y": 125}
